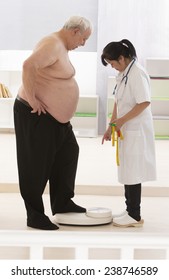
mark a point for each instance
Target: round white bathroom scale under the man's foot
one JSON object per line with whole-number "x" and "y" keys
{"x": 93, "y": 216}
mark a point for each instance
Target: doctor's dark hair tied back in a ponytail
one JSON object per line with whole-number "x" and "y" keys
{"x": 115, "y": 49}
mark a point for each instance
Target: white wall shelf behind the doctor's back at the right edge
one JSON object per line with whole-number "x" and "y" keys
{"x": 158, "y": 69}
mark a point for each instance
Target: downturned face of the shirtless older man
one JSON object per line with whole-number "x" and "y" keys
{"x": 79, "y": 38}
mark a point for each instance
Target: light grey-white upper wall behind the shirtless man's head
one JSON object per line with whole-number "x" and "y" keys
{"x": 23, "y": 23}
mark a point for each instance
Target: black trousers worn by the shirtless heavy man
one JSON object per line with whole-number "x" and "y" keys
{"x": 46, "y": 151}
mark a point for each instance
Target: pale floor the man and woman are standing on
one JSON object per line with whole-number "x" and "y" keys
{"x": 152, "y": 212}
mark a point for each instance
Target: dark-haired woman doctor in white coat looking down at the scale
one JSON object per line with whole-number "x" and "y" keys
{"x": 132, "y": 115}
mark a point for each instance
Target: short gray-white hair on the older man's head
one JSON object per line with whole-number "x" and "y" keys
{"x": 78, "y": 22}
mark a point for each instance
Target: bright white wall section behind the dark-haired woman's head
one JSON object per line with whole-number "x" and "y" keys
{"x": 144, "y": 22}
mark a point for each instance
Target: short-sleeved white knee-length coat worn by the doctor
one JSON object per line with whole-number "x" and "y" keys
{"x": 137, "y": 149}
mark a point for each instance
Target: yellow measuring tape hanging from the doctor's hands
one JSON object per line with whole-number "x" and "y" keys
{"x": 115, "y": 135}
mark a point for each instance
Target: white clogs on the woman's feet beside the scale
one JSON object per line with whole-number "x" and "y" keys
{"x": 127, "y": 221}
